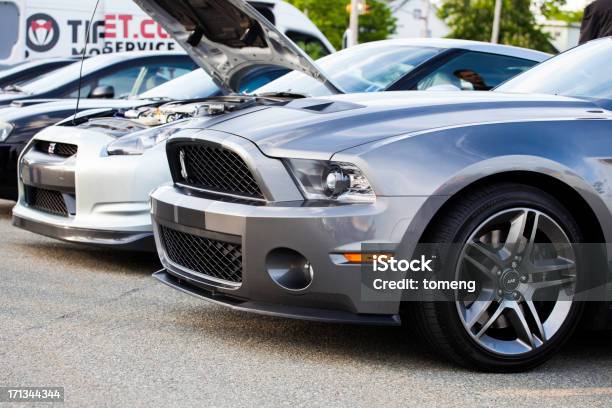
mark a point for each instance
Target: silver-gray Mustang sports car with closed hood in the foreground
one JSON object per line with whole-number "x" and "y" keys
{"x": 276, "y": 210}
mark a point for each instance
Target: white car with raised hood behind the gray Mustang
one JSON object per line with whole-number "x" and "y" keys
{"x": 88, "y": 180}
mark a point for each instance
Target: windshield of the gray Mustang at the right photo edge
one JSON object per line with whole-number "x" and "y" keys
{"x": 583, "y": 72}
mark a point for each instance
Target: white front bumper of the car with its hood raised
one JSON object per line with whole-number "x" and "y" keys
{"x": 107, "y": 196}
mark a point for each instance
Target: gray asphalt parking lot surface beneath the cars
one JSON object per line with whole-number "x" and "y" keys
{"x": 96, "y": 323}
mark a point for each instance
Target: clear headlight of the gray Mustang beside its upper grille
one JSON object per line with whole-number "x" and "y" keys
{"x": 325, "y": 180}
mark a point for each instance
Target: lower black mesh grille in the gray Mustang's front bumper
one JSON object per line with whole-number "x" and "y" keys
{"x": 214, "y": 259}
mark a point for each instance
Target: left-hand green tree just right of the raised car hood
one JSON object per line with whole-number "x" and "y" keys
{"x": 332, "y": 18}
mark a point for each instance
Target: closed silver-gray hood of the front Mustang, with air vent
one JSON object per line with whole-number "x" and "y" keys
{"x": 318, "y": 128}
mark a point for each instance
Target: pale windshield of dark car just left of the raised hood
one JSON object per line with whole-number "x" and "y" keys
{"x": 194, "y": 85}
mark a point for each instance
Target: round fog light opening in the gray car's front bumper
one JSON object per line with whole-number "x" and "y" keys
{"x": 289, "y": 269}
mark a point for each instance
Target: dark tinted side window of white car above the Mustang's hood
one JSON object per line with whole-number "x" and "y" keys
{"x": 475, "y": 71}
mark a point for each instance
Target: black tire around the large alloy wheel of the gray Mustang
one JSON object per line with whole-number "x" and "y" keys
{"x": 438, "y": 322}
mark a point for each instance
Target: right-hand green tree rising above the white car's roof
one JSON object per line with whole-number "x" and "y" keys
{"x": 473, "y": 20}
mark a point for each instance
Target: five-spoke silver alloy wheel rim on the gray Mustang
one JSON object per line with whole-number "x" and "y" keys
{"x": 525, "y": 268}
